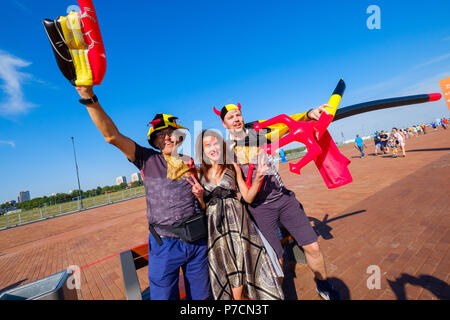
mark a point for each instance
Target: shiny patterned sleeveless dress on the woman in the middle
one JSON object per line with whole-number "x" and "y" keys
{"x": 236, "y": 253}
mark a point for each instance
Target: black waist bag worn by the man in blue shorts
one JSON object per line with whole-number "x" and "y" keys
{"x": 189, "y": 229}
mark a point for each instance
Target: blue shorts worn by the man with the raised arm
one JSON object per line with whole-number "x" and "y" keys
{"x": 164, "y": 264}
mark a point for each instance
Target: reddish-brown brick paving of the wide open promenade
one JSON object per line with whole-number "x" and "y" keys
{"x": 394, "y": 216}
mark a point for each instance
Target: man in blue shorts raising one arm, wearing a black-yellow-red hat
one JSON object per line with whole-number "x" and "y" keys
{"x": 169, "y": 199}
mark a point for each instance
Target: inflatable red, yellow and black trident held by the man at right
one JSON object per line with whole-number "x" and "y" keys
{"x": 332, "y": 165}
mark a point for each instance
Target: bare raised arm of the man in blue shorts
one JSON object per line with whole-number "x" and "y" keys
{"x": 106, "y": 125}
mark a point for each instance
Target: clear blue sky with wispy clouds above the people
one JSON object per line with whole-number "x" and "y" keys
{"x": 183, "y": 57}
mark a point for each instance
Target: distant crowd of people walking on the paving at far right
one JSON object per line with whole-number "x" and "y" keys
{"x": 395, "y": 141}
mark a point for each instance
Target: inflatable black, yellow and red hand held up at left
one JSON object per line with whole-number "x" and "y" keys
{"x": 78, "y": 46}
